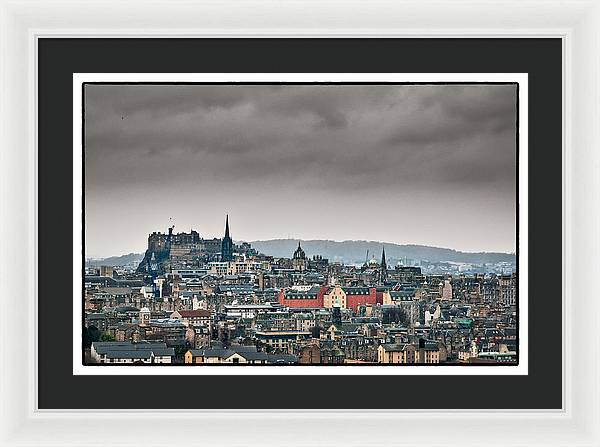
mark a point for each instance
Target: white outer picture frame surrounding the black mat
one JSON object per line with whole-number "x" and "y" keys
{"x": 577, "y": 23}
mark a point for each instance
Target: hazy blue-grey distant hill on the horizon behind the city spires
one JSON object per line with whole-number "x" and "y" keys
{"x": 355, "y": 251}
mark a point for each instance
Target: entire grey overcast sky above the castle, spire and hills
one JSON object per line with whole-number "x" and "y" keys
{"x": 420, "y": 164}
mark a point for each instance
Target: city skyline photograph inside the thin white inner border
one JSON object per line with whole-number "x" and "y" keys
{"x": 295, "y": 224}
